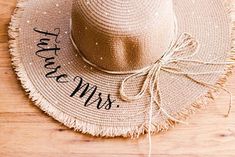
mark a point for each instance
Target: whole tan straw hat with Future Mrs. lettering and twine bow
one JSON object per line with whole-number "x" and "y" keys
{"x": 121, "y": 68}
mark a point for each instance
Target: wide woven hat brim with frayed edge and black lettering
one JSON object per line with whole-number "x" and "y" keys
{"x": 53, "y": 86}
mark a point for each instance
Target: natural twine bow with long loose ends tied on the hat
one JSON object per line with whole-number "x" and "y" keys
{"x": 181, "y": 51}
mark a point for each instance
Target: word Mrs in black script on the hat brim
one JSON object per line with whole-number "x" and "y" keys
{"x": 92, "y": 91}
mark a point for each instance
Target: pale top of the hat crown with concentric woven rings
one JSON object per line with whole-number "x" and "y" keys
{"x": 120, "y": 17}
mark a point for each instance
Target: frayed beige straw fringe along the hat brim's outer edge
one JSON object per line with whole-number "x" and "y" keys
{"x": 95, "y": 130}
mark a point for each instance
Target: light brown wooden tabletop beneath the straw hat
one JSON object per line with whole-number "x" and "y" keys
{"x": 25, "y": 131}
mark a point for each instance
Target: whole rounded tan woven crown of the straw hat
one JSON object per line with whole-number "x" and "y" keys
{"x": 122, "y": 35}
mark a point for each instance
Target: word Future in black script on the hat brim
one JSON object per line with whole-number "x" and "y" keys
{"x": 45, "y": 51}
